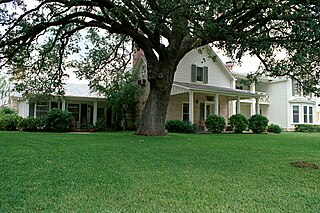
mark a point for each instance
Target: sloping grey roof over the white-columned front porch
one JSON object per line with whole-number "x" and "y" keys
{"x": 185, "y": 87}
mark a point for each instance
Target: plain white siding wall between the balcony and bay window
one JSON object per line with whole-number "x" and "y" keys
{"x": 278, "y": 109}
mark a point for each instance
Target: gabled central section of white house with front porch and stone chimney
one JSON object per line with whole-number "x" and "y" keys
{"x": 202, "y": 86}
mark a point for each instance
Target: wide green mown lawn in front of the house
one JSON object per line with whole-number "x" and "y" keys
{"x": 121, "y": 172}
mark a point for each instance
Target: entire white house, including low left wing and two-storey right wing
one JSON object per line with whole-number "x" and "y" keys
{"x": 203, "y": 85}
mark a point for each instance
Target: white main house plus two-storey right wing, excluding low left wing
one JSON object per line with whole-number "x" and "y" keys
{"x": 204, "y": 85}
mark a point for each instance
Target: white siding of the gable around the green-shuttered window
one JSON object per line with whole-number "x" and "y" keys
{"x": 217, "y": 74}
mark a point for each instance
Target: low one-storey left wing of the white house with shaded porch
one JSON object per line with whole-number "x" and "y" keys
{"x": 86, "y": 107}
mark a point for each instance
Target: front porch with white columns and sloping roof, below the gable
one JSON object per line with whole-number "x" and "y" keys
{"x": 195, "y": 102}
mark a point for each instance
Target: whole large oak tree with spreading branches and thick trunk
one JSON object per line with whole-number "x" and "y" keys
{"x": 37, "y": 42}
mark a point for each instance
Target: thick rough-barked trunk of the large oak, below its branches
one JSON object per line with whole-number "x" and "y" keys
{"x": 155, "y": 110}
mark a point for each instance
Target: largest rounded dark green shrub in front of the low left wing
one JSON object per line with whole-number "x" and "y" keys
{"x": 57, "y": 120}
